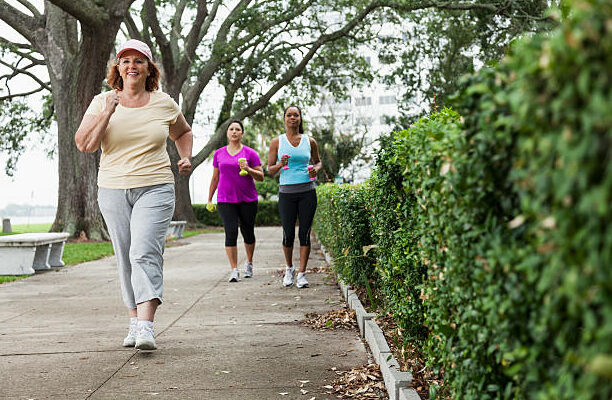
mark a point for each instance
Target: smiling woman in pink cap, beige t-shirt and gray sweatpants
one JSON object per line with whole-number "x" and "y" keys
{"x": 130, "y": 124}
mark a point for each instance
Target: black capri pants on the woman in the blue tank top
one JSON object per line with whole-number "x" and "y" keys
{"x": 297, "y": 206}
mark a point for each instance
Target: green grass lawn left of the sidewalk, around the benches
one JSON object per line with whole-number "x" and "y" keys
{"x": 79, "y": 252}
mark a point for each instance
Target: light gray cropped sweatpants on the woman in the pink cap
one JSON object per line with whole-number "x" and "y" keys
{"x": 137, "y": 220}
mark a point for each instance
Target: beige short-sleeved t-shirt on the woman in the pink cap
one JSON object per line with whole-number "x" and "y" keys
{"x": 134, "y": 147}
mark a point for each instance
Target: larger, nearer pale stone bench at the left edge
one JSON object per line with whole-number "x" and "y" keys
{"x": 25, "y": 253}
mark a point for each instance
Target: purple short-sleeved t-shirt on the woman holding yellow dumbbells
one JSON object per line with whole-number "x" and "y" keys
{"x": 232, "y": 187}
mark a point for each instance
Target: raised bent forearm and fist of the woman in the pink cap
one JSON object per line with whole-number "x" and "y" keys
{"x": 93, "y": 127}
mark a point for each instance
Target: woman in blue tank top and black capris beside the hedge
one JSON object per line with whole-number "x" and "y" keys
{"x": 296, "y": 157}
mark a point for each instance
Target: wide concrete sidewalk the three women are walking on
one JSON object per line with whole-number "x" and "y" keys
{"x": 61, "y": 331}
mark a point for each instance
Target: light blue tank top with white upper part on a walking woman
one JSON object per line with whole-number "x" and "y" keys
{"x": 299, "y": 158}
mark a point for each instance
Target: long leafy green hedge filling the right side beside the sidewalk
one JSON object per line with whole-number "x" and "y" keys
{"x": 491, "y": 226}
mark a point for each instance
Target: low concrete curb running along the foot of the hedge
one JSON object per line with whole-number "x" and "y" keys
{"x": 397, "y": 382}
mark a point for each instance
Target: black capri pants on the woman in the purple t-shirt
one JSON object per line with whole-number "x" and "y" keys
{"x": 238, "y": 214}
